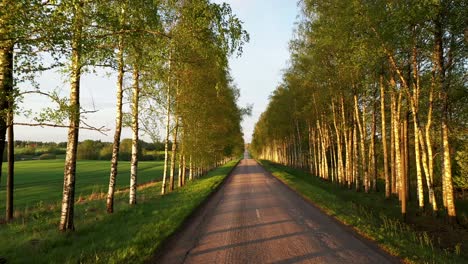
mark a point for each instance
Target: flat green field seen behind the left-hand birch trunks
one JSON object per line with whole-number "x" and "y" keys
{"x": 40, "y": 181}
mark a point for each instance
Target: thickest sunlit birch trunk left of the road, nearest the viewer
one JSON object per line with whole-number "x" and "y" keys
{"x": 68, "y": 201}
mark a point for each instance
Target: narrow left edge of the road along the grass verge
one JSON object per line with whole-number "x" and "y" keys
{"x": 196, "y": 214}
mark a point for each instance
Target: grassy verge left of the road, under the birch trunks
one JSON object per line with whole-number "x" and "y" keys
{"x": 130, "y": 235}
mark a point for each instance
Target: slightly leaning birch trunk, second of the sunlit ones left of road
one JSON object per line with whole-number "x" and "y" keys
{"x": 118, "y": 130}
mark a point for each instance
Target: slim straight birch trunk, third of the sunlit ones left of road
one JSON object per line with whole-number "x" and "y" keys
{"x": 135, "y": 147}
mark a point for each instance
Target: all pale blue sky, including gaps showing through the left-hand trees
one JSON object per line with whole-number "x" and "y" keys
{"x": 257, "y": 72}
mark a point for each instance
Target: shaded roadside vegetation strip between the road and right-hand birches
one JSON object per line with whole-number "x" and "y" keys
{"x": 423, "y": 240}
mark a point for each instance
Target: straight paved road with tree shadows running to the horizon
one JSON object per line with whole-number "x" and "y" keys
{"x": 256, "y": 219}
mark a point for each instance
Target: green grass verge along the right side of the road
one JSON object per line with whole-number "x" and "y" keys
{"x": 370, "y": 215}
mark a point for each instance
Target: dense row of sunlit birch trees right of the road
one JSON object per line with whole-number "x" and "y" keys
{"x": 375, "y": 90}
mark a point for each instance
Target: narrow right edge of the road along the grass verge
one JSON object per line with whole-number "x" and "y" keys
{"x": 352, "y": 230}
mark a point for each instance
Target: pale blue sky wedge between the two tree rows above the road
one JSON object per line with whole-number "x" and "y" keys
{"x": 258, "y": 72}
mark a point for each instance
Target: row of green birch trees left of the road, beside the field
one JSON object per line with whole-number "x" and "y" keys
{"x": 171, "y": 62}
